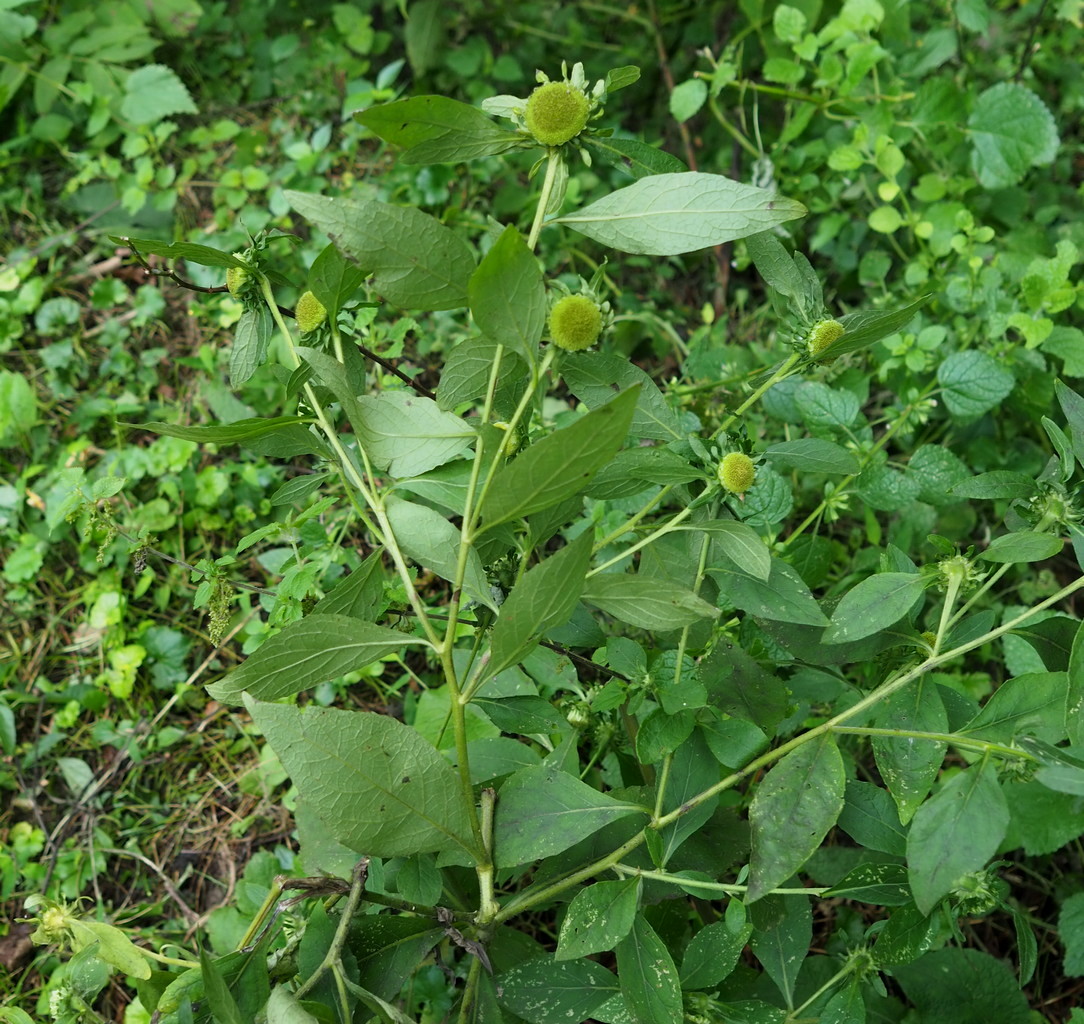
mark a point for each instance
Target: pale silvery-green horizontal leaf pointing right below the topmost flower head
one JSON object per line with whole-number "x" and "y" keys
{"x": 667, "y": 215}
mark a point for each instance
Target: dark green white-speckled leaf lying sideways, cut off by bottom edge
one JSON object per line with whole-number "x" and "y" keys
{"x": 552, "y": 992}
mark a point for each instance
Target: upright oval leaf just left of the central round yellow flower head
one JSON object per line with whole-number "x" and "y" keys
{"x": 508, "y": 296}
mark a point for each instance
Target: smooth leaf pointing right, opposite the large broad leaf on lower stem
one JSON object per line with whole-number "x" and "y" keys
{"x": 545, "y": 811}
